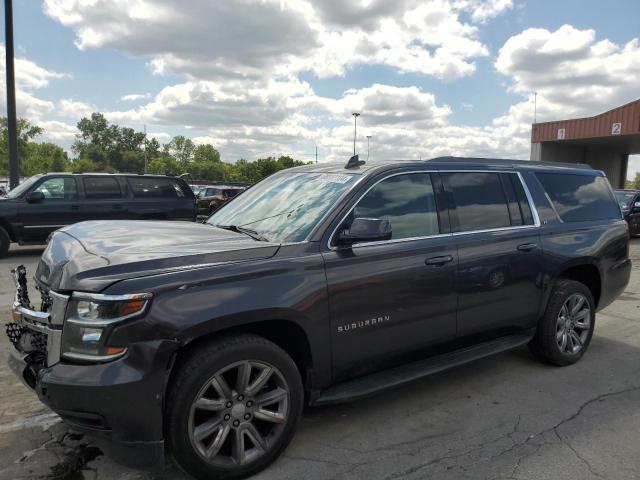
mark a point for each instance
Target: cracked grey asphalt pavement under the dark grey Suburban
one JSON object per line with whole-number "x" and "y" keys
{"x": 506, "y": 417}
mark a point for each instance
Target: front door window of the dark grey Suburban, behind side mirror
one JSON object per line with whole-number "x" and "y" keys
{"x": 407, "y": 201}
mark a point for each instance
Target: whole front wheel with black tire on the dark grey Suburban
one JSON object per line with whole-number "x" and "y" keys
{"x": 243, "y": 433}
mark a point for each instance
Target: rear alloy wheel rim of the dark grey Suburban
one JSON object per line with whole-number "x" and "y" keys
{"x": 573, "y": 324}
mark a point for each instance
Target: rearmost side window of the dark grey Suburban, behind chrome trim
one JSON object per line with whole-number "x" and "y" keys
{"x": 579, "y": 198}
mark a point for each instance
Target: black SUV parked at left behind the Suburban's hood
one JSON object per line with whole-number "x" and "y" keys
{"x": 44, "y": 203}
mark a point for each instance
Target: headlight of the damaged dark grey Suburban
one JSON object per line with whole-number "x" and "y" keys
{"x": 89, "y": 320}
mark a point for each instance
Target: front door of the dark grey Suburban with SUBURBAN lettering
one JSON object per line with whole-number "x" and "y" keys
{"x": 388, "y": 298}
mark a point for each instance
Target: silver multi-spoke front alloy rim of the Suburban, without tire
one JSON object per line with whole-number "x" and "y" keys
{"x": 239, "y": 413}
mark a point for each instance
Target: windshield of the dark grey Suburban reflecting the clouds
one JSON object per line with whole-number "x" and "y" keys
{"x": 284, "y": 207}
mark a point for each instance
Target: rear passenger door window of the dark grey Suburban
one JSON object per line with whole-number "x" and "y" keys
{"x": 480, "y": 201}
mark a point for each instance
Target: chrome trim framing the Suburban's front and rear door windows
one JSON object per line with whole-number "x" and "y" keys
{"x": 532, "y": 207}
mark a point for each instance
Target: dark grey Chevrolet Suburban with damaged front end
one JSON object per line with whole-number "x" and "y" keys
{"x": 320, "y": 284}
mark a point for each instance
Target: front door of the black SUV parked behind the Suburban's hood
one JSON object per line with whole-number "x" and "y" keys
{"x": 60, "y": 207}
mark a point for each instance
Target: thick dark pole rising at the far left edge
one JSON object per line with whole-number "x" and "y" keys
{"x": 12, "y": 126}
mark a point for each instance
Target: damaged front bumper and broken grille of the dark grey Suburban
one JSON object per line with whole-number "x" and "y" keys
{"x": 118, "y": 404}
